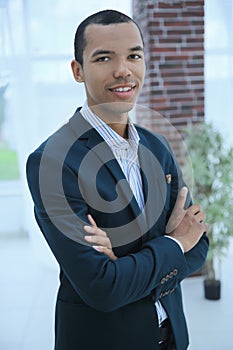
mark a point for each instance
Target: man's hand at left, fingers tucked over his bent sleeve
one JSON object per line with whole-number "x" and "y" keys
{"x": 99, "y": 237}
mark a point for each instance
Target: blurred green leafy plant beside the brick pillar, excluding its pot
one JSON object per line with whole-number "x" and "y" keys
{"x": 212, "y": 166}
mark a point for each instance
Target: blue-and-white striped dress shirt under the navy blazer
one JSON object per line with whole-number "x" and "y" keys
{"x": 126, "y": 153}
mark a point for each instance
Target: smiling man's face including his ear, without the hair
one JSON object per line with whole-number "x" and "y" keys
{"x": 113, "y": 67}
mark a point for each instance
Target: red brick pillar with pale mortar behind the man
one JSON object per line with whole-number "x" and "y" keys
{"x": 173, "y": 31}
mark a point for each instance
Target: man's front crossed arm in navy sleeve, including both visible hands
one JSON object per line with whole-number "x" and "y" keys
{"x": 102, "y": 283}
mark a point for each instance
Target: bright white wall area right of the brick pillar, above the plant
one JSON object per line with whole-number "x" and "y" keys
{"x": 219, "y": 66}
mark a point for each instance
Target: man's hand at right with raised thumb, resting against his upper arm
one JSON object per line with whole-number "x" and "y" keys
{"x": 186, "y": 225}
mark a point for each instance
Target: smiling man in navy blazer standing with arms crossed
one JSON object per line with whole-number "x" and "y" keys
{"x": 110, "y": 200}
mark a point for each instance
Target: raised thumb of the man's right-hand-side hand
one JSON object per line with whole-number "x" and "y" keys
{"x": 178, "y": 211}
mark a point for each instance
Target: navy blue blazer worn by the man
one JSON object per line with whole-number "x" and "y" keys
{"x": 104, "y": 304}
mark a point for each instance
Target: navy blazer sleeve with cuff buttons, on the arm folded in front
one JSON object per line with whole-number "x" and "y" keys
{"x": 103, "y": 284}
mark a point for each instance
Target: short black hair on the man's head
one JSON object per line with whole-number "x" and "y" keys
{"x": 105, "y": 17}
